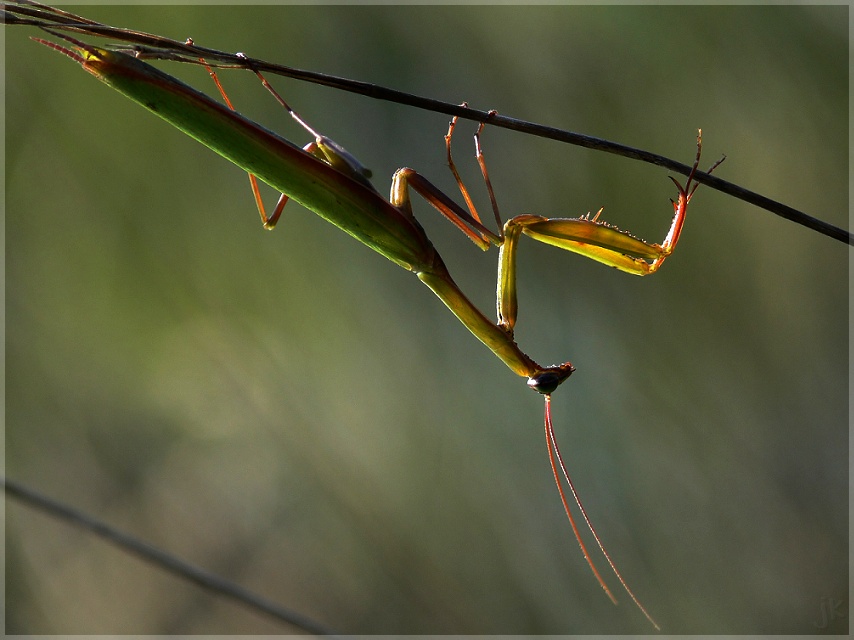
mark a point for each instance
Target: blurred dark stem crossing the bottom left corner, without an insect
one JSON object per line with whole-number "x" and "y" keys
{"x": 160, "y": 558}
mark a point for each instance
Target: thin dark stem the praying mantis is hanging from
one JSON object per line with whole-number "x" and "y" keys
{"x": 146, "y": 45}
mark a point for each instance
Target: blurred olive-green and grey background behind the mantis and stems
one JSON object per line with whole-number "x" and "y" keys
{"x": 296, "y": 413}
